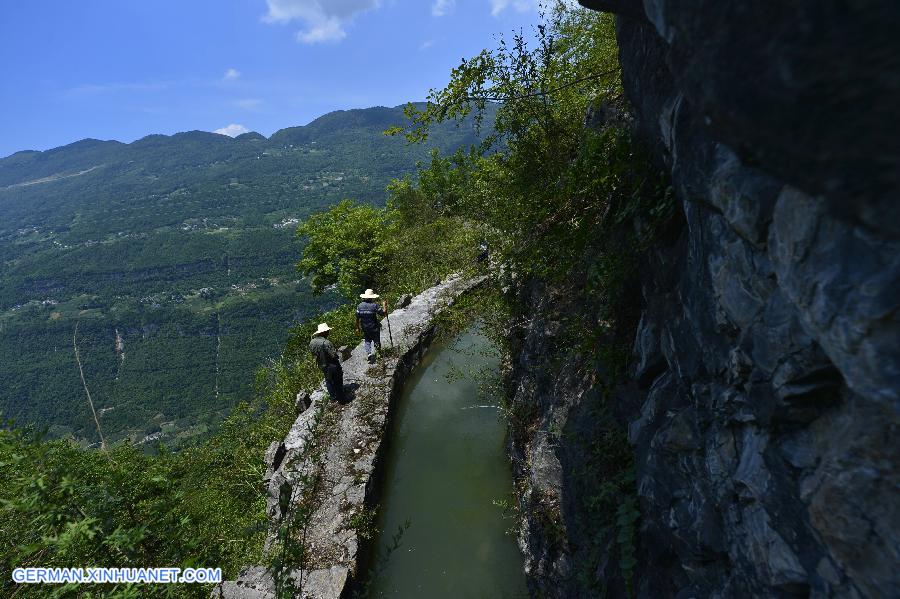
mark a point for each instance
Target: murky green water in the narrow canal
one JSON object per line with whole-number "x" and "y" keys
{"x": 446, "y": 466}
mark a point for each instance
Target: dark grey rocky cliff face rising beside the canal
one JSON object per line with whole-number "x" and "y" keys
{"x": 764, "y": 400}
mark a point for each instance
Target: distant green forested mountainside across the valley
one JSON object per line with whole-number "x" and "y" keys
{"x": 175, "y": 254}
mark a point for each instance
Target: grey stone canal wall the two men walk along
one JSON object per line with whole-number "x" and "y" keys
{"x": 346, "y": 470}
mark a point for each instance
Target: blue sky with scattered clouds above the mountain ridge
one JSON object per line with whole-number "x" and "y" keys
{"x": 122, "y": 69}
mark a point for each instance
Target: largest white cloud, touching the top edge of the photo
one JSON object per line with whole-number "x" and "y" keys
{"x": 324, "y": 20}
